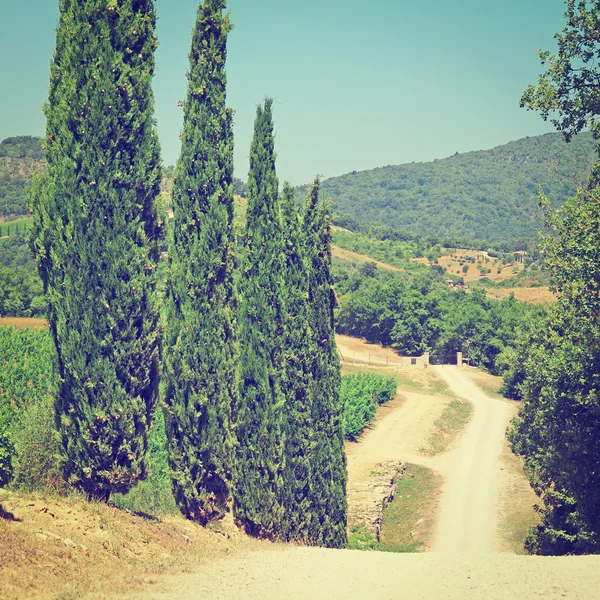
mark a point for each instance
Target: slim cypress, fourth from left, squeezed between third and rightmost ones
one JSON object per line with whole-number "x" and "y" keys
{"x": 298, "y": 343}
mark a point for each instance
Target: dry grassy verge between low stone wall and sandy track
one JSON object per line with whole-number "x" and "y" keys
{"x": 407, "y": 524}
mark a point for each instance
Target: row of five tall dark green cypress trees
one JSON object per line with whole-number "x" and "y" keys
{"x": 250, "y": 369}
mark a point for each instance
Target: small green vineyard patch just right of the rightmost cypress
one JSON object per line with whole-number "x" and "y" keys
{"x": 361, "y": 393}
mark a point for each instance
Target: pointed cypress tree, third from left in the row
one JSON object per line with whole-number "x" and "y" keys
{"x": 258, "y": 415}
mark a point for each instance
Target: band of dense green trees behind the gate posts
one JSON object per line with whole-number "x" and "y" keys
{"x": 418, "y": 312}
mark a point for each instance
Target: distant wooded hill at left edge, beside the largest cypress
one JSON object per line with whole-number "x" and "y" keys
{"x": 20, "y": 159}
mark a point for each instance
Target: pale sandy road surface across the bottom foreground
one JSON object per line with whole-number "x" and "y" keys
{"x": 315, "y": 573}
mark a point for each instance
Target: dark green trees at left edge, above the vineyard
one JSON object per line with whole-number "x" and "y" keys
{"x": 21, "y": 293}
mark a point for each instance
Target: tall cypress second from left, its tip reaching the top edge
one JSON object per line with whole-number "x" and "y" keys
{"x": 199, "y": 356}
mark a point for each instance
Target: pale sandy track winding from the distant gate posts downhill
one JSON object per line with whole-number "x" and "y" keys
{"x": 468, "y": 516}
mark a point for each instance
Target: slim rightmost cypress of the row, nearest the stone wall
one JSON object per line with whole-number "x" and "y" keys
{"x": 328, "y": 482}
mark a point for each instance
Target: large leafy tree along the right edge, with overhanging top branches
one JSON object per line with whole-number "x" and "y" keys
{"x": 557, "y": 365}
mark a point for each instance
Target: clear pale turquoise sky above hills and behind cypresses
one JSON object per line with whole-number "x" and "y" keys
{"x": 356, "y": 84}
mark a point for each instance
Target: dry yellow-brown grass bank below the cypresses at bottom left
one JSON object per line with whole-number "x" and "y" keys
{"x": 70, "y": 548}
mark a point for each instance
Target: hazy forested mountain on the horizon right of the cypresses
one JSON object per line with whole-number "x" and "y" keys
{"x": 487, "y": 195}
